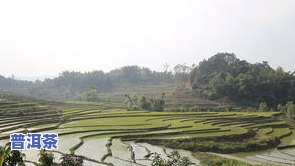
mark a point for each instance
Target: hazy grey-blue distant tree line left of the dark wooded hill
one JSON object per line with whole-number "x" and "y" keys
{"x": 76, "y": 85}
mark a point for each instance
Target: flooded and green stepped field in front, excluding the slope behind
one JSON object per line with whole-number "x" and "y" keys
{"x": 119, "y": 137}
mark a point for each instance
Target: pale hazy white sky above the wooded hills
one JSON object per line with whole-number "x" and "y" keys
{"x": 43, "y": 38}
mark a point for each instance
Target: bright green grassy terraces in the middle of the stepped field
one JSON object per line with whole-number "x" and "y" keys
{"x": 158, "y": 126}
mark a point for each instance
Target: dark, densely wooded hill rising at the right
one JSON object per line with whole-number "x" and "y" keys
{"x": 224, "y": 75}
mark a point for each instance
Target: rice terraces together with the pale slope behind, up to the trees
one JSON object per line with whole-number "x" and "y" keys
{"x": 116, "y": 128}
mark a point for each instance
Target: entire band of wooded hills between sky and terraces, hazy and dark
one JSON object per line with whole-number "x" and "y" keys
{"x": 222, "y": 77}
